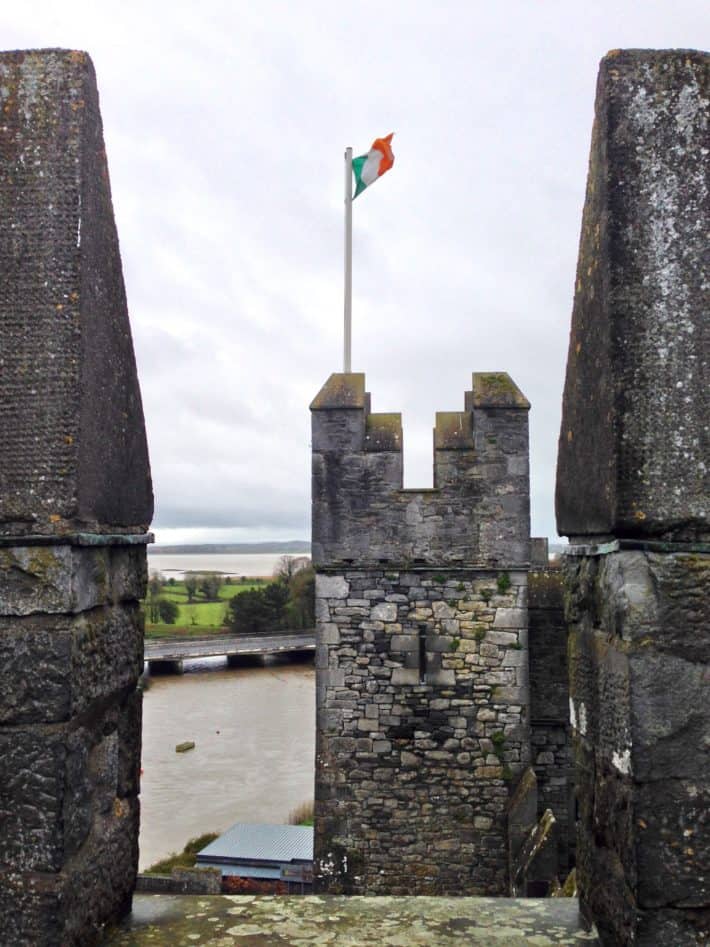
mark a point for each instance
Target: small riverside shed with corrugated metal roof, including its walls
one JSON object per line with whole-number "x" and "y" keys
{"x": 277, "y": 853}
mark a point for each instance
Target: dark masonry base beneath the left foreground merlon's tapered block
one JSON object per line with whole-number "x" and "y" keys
{"x": 71, "y": 651}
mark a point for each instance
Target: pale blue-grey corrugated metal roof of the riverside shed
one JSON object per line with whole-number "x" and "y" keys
{"x": 258, "y": 842}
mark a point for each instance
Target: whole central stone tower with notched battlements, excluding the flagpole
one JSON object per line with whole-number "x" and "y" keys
{"x": 421, "y": 663}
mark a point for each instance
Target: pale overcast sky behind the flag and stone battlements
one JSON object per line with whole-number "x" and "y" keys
{"x": 225, "y": 125}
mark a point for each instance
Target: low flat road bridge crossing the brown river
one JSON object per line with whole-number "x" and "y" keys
{"x": 168, "y": 654}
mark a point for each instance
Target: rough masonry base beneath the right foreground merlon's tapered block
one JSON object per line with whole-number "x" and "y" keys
{"x": 639, "y": 639}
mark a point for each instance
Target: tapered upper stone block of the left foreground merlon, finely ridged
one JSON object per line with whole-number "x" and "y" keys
{"x": 73, "y": 452}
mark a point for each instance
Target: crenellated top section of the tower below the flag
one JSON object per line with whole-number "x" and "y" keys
{"x": 476, "y": 514}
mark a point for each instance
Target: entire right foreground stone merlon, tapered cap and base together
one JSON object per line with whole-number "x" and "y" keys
{"x": 632, "y": 489}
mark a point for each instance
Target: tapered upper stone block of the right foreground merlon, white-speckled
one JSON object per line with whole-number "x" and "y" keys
{"x": 634, "y": 438}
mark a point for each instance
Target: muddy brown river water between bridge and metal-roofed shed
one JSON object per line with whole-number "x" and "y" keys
{"x": 254, "y": 730}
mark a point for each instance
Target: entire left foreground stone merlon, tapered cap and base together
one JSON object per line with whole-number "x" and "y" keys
{"x": 75, "y": 502}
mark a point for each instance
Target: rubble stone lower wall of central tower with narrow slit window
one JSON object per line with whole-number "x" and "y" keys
{"x": 422, "y": 701}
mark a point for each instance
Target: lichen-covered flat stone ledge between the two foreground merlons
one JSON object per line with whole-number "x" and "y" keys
{"x": 264, "y": 921}
